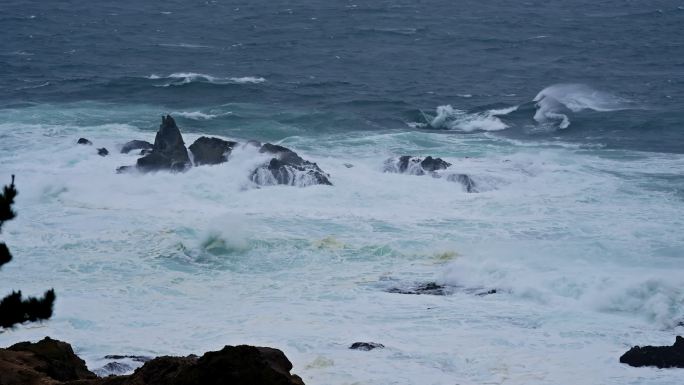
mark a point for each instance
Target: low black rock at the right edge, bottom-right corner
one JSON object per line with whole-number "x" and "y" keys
{"x": 659, "y": 356}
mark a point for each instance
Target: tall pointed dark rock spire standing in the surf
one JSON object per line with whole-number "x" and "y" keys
{"x": 168, "y": 151}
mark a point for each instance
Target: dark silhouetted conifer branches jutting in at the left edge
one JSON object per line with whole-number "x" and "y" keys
{"x": 13, "y": 309}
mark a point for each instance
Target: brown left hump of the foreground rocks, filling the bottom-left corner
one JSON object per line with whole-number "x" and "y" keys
{"x": 45, "y": 362}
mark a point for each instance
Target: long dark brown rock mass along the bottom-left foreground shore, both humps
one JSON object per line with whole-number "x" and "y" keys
{"x": 51, "y": 362}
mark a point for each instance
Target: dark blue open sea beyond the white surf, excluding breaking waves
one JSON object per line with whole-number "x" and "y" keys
{"x": 357, "y": 65}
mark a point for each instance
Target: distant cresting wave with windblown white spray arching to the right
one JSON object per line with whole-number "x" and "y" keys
{"x": 555, "y": 101}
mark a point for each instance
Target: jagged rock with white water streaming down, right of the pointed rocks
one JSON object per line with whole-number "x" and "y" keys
{"x": 288, "y": 168}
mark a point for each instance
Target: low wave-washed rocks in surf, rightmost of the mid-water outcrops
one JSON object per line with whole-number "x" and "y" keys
{"x": 414, "y": 165}
